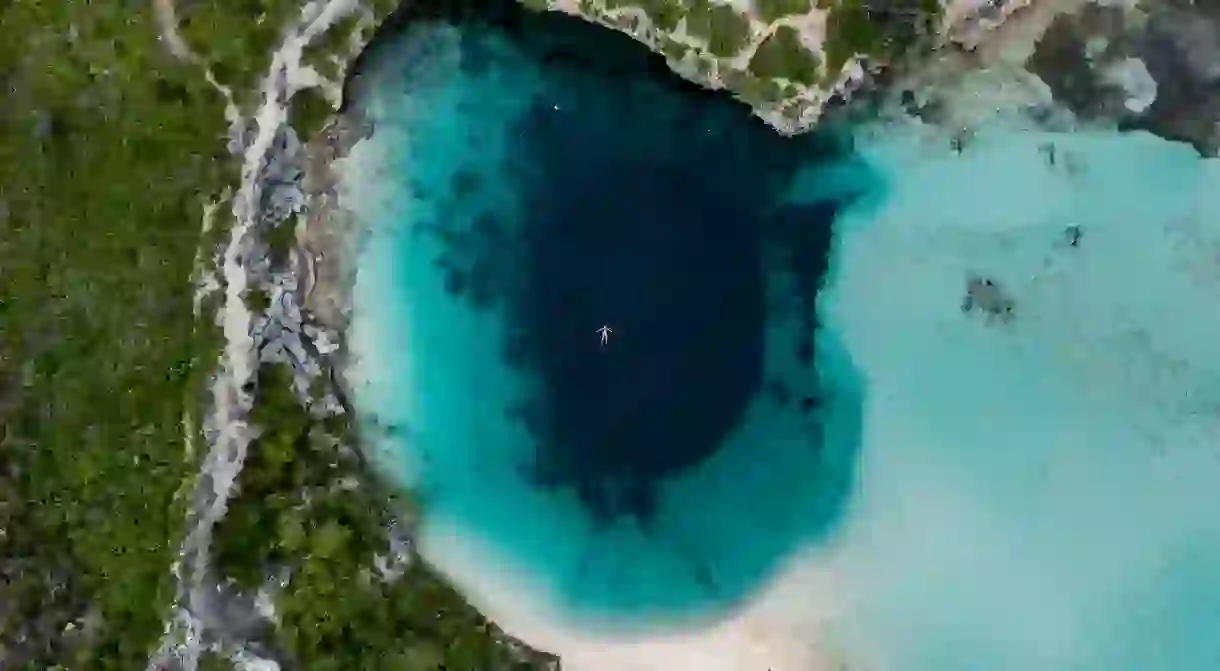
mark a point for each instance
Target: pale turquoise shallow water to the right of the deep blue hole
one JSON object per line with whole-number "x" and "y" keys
{"x": 1041, "y": 495}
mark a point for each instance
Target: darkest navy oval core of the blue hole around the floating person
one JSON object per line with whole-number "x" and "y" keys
{"x": 674, "y": 268}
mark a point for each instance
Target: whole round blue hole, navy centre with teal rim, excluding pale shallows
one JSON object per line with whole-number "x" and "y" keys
{"x": 531, "y": 179}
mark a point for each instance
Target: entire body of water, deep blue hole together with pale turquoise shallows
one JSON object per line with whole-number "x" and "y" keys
{"x": 792, "y": 379}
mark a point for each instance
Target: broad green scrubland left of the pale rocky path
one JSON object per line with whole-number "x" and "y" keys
{"x": 110, "y": 149}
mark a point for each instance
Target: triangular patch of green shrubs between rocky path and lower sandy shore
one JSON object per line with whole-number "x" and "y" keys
{"x": 308, "y": 506}
